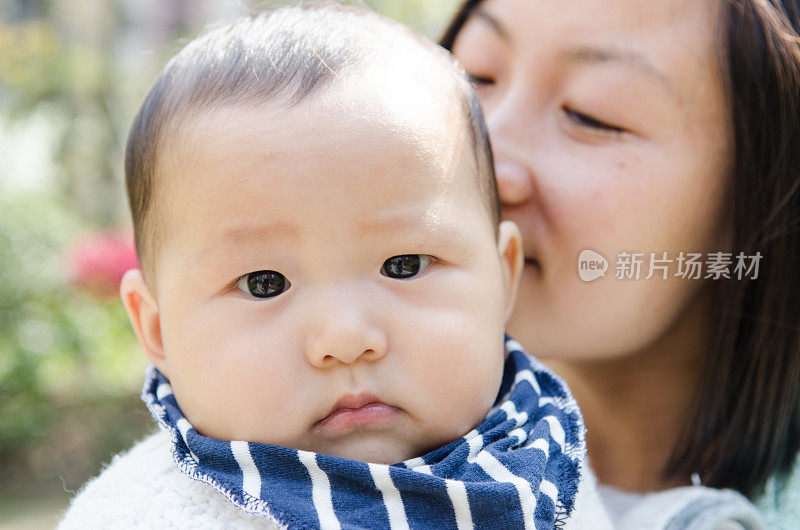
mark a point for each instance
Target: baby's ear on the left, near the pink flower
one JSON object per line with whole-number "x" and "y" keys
{"x": 143, "y": 314}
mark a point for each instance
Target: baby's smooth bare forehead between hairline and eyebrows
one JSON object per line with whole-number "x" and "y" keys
{"x": 339, "y": 167}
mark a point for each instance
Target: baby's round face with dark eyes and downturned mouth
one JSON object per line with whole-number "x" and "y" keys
{"x": 331, "y": 280}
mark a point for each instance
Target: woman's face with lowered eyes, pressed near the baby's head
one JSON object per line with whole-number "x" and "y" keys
{"x": 610, "y": 128}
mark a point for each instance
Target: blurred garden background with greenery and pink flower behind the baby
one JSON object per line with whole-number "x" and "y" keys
{"x": 72, "y": 74}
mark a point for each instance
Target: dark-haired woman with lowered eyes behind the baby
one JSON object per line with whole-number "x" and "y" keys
{"x": 650, "y": 132}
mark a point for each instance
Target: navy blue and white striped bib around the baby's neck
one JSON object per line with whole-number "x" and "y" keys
{"x": 518, "y": 469}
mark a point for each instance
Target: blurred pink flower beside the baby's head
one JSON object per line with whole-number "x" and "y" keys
{"x": 98, "y": 261}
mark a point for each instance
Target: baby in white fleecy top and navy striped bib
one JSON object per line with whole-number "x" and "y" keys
{"x": 324, "y": 288}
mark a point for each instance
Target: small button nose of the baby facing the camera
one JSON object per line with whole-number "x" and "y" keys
{"x": 344, "y": 336}
